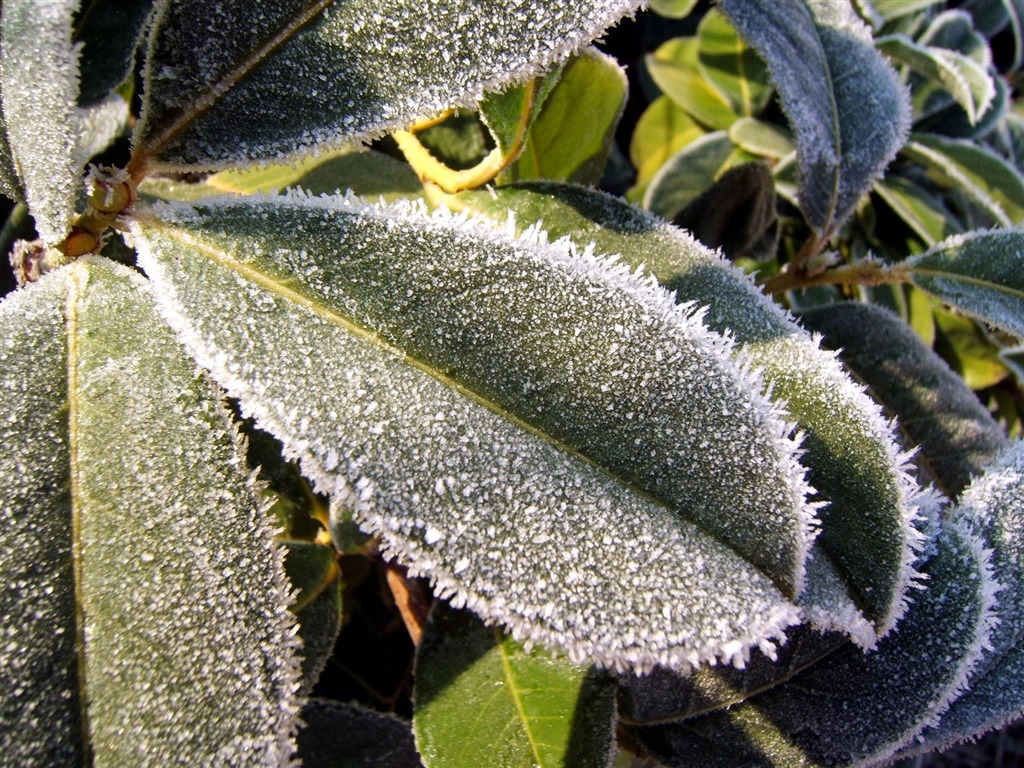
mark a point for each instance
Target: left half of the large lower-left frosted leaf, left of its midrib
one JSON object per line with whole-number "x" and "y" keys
{"x": 39, "y": 709}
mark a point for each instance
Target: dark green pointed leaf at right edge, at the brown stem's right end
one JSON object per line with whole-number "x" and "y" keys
{"x": 982, "y": 274}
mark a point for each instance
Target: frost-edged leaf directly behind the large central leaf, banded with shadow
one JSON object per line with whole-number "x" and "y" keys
{"x": 851, "y": 453}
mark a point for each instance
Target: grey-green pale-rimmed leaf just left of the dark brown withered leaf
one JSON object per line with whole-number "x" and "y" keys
{"x": 688, "y": 174}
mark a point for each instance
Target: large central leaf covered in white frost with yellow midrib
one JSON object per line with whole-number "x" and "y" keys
{"x": 490, "y": 406}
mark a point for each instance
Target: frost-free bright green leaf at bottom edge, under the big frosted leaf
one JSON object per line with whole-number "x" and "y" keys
{"x": 484, "y": 700}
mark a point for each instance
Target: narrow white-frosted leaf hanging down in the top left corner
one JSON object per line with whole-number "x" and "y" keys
{"x": 39, "y": 82}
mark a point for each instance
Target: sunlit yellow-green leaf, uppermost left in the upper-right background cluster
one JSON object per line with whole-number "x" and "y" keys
{"x": 675, "y": 70}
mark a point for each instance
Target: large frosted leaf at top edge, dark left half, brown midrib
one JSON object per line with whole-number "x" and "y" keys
{"x": 230, "y": 97}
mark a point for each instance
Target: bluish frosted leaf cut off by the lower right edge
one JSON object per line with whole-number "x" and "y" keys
{"x": 994, "y": 506}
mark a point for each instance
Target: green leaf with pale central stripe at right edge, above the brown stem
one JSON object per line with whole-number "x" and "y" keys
{"x": 988, "y": 180}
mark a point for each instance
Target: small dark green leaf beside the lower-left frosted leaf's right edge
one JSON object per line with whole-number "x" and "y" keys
{"x": 313, "y": 572}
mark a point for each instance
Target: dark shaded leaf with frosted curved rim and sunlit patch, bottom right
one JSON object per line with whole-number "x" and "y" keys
{"x": 851, "y": 708}
